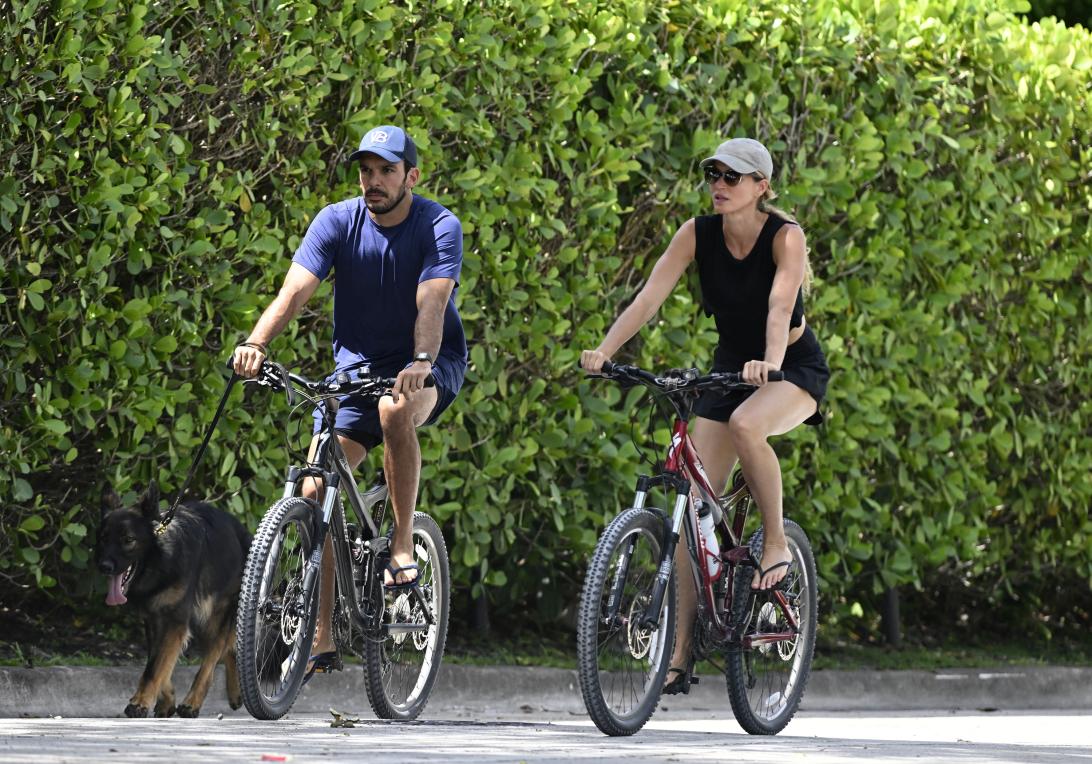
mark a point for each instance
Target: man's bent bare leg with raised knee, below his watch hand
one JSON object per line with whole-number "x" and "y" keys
{"x": 402, "y": 465}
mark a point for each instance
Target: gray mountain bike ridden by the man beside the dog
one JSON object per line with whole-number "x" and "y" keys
{"x": 399, "y": 632}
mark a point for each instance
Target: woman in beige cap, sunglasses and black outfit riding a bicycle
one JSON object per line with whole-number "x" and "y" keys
{"x": 753, "y": 269}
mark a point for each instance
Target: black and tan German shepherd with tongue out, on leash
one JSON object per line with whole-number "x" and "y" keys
{"x": 185, "y": 582}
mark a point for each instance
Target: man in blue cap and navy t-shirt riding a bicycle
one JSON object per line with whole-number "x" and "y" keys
{"x": 398, "y": 257}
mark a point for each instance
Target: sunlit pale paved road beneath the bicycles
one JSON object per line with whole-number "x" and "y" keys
{"x": 473, "y": 735}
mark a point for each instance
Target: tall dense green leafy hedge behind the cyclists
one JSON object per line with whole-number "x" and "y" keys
{"x": 162, "y": 162}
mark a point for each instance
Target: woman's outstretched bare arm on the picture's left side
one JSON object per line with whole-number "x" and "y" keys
{"x": 666, "y": 276}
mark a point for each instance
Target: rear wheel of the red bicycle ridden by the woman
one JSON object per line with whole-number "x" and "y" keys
{"x": 767, "y": 682}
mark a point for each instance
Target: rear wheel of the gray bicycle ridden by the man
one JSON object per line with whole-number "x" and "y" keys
{"x": 401, "y": 670}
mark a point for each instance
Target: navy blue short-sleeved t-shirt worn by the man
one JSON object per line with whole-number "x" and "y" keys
{"x": 377, "y": 271}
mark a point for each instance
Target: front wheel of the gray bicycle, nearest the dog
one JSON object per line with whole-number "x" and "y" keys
{"x": 275, "y": 626}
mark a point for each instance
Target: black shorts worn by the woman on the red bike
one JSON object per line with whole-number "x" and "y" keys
{"x": 804, "y": 366}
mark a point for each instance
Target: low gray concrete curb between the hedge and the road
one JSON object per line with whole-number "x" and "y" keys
{"x": 464, "y": 691}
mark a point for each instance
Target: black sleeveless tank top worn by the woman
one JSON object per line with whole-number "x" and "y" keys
{"x": 737, "y": 293}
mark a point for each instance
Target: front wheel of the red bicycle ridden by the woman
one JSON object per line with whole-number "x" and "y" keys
{"x": 622, "y": 663}
